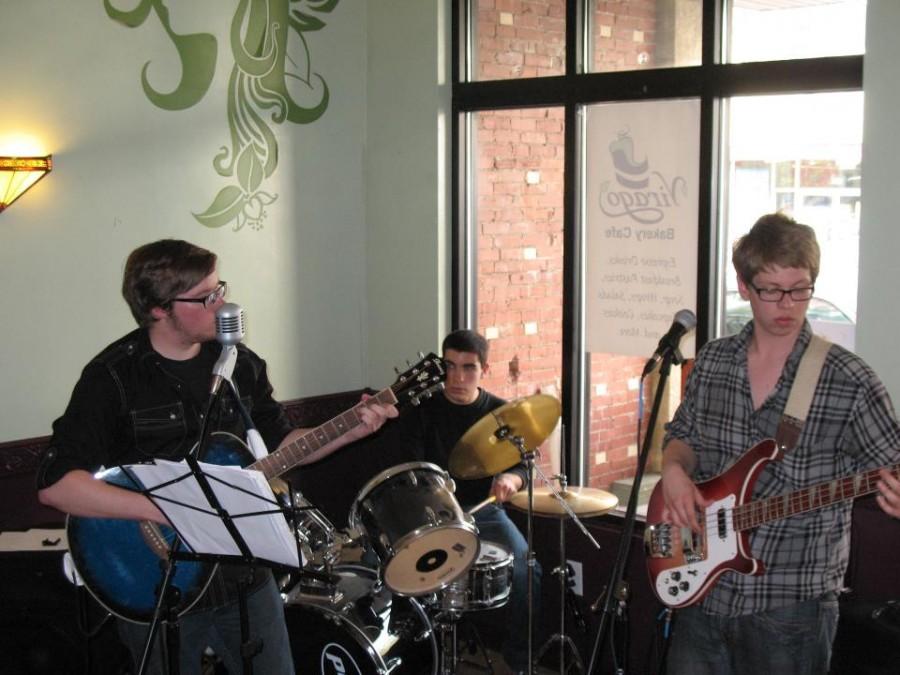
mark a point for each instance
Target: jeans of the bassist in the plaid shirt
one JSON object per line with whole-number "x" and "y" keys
{"x": 792, "y": 640}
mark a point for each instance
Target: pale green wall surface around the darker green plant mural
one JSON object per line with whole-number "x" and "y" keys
{"x": 318, "y": 281}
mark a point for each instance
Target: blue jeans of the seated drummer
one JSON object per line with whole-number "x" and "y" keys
{"x": 494, "y": 525}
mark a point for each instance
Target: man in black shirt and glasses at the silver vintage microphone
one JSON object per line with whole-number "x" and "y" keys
{"x": 145, "y": 396}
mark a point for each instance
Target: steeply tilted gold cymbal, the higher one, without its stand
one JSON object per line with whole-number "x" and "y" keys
{"x": 485, "y": 449}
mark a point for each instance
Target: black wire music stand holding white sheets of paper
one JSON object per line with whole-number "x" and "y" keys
{"x": 223, "y": 514}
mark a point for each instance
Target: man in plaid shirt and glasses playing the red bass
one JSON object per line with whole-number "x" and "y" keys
{"x": 784, "y": 620}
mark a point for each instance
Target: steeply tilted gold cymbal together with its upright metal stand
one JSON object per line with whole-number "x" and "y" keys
{"x": 500, "y": 440}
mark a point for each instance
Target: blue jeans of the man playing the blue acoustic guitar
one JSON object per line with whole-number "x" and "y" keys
{"x": 220, "y": 629}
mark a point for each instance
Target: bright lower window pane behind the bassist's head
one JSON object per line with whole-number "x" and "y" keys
{"x": 800, "y": 154}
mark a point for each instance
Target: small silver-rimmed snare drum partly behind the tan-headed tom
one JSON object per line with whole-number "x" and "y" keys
{"x": 487, "y": 585}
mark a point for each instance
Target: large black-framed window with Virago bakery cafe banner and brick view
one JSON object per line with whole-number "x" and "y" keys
{"x": 781, "y": 130}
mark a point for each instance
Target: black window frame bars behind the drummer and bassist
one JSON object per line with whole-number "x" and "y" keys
{"x": 713, "y": 82}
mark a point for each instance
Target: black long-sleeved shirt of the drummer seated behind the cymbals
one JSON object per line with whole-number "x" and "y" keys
{"x": 429, "y": 432}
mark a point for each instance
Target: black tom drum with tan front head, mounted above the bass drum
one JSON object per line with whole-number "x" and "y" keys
{"x": 421, "y": 535}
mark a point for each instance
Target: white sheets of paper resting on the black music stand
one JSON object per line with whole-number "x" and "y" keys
{"x": 268, "y": 535}
